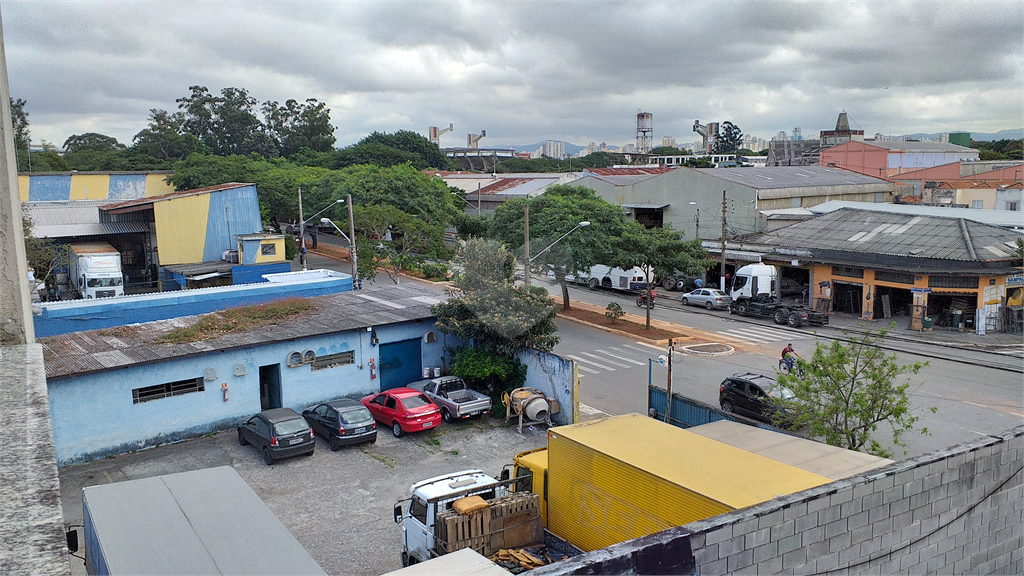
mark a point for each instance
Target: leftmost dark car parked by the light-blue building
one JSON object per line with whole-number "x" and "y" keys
{"x": 278, "y": 433}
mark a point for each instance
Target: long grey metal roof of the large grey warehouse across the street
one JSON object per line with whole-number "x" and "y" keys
{"x": 771, "y": 178}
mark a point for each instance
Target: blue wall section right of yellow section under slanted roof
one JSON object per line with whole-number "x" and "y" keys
{"x": 232, "y": 213}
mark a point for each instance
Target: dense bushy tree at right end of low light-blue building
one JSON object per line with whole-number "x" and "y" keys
{"x": 488, "y": 310}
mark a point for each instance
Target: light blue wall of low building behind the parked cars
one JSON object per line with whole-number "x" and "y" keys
{"x": 94, "y": 416}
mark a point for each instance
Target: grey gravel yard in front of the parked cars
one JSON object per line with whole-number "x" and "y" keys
{"x": 338, "y": 505}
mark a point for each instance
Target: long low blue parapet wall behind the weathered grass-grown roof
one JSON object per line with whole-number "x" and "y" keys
{"x": 75, "y": 316}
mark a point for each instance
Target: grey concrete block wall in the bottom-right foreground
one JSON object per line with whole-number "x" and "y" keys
{"x": 957, "y": 511}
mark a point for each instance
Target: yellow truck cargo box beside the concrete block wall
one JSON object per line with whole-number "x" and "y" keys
{"x": 621, "y": 478}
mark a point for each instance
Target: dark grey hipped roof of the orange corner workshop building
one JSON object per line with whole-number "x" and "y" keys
{"x": 898, "y": 235}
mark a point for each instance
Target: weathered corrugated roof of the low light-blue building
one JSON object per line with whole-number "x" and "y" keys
{"x": 93, "y": 351}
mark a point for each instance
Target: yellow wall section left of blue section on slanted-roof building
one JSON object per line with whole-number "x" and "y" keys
{"x": 182, "y": 229}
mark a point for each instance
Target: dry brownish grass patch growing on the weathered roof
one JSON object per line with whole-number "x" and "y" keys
{"x": 238, "y": 320}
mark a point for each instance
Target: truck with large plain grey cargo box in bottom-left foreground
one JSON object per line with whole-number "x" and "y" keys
{"x": 200, "y": 522}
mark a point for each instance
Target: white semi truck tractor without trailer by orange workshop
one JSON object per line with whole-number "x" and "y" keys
{"x": 756, "y": 292}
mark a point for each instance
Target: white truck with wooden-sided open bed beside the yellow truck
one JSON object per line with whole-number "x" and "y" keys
{"x": 432, "y": 528}
